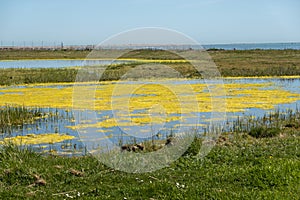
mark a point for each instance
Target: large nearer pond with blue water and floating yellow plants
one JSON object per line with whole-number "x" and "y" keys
{"x": 120, "y": 112}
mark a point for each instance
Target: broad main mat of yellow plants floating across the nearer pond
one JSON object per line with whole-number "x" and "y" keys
{"x": 175, "y": 104}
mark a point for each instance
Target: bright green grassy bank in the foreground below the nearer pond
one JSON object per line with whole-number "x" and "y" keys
{"x": 240, "y": 166}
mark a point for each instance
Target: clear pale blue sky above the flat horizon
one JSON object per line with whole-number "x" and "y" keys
{"x": 91, "y": 21}
